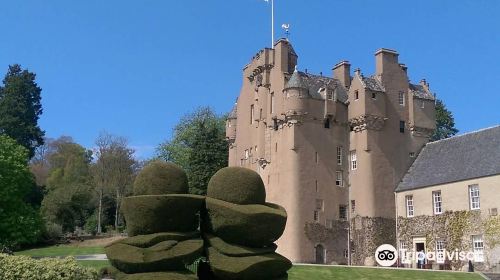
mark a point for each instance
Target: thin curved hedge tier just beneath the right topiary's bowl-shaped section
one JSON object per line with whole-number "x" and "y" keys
{"x": 237, "y": 250}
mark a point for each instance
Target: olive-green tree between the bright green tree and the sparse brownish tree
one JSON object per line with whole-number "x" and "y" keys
{"x": 69, "y": 200}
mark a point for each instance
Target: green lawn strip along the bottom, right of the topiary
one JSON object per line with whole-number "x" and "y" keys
{"x": 302, "y": 272}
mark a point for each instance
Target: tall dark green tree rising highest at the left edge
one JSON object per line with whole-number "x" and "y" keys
{"x": 20, "y": 108}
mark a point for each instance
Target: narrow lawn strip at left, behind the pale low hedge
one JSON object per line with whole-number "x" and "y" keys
{"x": 61, "y": 250}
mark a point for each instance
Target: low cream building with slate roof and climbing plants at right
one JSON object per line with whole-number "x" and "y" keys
{"x": 449, "y": 200}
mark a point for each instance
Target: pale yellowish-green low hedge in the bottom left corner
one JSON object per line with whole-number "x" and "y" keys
{"x": 26, "y": 268}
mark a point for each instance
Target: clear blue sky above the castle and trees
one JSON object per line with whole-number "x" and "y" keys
{"x": 133, "y": 68}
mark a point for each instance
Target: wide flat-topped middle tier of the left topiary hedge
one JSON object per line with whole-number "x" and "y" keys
{"x": 147, "y": 214}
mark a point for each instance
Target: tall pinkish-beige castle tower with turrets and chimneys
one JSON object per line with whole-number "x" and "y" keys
{"x": 331, "y": 150}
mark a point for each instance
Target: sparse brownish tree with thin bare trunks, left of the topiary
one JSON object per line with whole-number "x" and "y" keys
{"x": 112, "y": 172}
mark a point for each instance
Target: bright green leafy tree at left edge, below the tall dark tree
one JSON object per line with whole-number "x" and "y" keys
{"x": 19, "y": 222}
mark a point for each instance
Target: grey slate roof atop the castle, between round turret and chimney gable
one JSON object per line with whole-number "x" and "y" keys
{"x": 314, "y": 82}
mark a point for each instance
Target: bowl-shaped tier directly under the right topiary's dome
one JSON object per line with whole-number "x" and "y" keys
{"x": 247, "y": 225}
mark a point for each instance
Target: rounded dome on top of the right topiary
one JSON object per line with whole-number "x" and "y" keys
{"x": 237, "y": 185}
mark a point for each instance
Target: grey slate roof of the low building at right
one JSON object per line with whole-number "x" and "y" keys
{"x": 468, "y": 156}
